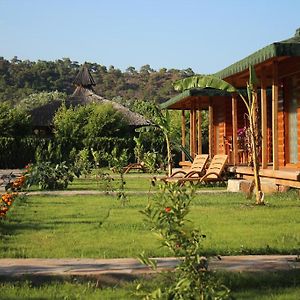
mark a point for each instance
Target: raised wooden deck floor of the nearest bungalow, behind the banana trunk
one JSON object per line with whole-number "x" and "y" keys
{"x": 284, "y": 176}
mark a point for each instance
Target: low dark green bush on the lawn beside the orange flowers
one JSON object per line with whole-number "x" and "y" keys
{"x": 48, "y": 176}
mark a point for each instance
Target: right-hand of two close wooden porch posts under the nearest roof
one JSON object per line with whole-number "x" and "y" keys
{"x": 275, "y": 115}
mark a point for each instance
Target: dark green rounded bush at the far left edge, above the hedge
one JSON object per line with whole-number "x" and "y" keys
{"x": 14, "y": 121}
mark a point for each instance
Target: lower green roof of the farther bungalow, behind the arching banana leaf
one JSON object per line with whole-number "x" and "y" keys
{"x": 193, "y": 92}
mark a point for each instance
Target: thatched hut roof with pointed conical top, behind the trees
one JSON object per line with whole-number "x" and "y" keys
{"x": 42, "y": 116}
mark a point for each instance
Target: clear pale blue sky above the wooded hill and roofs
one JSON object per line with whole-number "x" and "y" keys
{"x": 205, "y": 35}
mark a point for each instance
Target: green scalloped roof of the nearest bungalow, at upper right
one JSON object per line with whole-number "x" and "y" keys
{"x": 289, "y": 47}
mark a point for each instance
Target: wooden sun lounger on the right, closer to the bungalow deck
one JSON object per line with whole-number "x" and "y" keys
{"x": 214, "y": 172}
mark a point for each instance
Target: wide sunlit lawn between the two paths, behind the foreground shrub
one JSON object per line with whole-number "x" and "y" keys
{"x": 78, "y": 226}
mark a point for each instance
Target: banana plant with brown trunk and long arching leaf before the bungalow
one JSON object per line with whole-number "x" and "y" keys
{"x": 251, "y": 105}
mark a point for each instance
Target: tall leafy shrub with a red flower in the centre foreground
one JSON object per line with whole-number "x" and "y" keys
{"x": 167, "y": 216}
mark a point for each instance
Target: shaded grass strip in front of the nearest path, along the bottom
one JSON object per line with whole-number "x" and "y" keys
{"x": 276, "y": 286}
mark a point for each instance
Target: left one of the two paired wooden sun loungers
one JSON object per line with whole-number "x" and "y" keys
{"x": 197, "y": 169}
